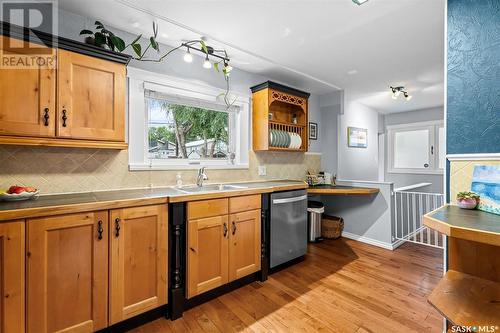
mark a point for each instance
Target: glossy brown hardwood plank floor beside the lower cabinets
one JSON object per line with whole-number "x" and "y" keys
{"x": 342, "y": 286}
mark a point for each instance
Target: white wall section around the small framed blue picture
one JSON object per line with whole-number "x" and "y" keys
{"x": 358, "y": 163}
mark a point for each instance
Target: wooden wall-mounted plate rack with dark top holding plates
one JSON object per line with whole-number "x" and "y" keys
{"x": 276, "y": 107}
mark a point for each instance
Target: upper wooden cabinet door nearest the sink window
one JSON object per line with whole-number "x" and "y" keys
{"x": 91, "y": 98}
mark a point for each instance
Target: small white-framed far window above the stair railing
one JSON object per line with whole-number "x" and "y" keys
{"x": 417, "y": 148}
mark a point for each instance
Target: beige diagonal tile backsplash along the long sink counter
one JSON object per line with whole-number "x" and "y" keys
{"x": 64, "y": 170}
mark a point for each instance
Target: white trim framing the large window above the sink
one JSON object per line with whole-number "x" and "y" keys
{"x": 138, "y": 140}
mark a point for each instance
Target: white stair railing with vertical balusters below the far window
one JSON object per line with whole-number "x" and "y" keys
{"x": 409, "y": 208}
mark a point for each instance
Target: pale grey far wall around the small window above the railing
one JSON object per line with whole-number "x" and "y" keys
{"x": 409, "y": 117}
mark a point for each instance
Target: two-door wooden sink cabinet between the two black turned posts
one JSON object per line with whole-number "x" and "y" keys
{"x": 223, "y": 248}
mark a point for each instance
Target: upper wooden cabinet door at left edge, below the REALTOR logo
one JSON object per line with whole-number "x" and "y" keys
{"x": 26, "y": 96}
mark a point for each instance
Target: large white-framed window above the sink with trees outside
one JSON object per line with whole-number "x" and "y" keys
{"x": 176, "y": 124}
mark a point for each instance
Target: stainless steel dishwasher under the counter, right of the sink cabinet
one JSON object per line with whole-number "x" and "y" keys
{"x": 288, "y": 226}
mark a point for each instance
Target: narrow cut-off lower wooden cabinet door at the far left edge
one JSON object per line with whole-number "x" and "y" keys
{"x": 12, "y": 258}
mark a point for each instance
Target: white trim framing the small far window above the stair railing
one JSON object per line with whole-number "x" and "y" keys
{"x": 433, "y": 137}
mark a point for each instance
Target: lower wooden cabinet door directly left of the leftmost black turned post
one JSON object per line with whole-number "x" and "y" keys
{"x": 138, "y": 261}
